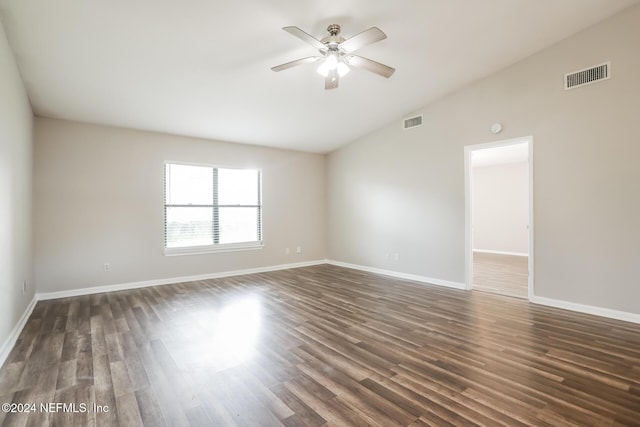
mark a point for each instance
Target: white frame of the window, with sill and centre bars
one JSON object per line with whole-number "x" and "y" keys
{"x": 216, "y": 247}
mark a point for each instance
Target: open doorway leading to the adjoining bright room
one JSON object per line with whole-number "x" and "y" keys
{"x": 499, "y": 217}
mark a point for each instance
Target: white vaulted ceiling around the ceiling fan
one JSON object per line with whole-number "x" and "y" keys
{"x": 202, "y": 67}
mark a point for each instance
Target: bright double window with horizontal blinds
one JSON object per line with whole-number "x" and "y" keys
{"x": 208, "y": 208}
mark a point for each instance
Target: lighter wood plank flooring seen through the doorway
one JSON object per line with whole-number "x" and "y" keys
{"x": 501, "y": 274}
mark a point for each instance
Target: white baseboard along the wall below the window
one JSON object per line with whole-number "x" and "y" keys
{"x": 172, "y": 280}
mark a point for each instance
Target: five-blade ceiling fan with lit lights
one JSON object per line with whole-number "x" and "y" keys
{"x": 336, "y": 54}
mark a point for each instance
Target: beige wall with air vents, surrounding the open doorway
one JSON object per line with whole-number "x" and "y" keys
{"x": 403, "y": 191}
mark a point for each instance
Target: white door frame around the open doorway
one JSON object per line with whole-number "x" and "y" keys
{"x": 468, "y": 180}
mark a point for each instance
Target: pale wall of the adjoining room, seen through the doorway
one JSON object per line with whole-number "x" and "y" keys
{"x": 501, "y": 208}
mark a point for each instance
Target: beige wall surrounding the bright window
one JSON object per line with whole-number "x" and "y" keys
{"x": 98, "y": 198}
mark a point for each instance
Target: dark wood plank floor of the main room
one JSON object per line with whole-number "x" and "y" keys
{"x": 320, "y": 345}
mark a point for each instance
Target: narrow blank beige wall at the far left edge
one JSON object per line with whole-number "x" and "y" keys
{"x": 16, "y": 122}
